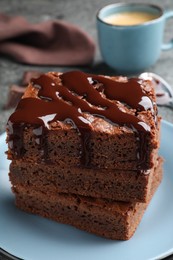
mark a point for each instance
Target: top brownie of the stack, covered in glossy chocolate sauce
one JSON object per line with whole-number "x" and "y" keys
{"x": 97, "y": 121}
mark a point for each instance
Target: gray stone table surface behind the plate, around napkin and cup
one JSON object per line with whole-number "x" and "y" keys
{"x": 81, "y": 13}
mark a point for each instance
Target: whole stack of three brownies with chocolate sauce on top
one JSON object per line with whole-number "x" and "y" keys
{"x": 84, "y": 151}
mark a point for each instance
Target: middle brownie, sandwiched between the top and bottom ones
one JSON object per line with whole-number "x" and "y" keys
{"x": 110, "y": 184}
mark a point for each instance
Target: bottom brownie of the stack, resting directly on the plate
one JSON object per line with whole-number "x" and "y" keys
{"x": 110, "y": 219}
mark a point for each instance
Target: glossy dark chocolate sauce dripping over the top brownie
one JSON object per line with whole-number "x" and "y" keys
{"x": 68, "y": 101}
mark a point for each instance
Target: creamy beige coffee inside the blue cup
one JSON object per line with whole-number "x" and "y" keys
{"x": 129, "y": 18}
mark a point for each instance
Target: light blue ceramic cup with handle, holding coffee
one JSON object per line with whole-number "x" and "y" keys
{"x": 131, "y": 49}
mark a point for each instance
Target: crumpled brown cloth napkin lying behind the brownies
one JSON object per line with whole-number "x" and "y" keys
{"x": 47, "y": 43}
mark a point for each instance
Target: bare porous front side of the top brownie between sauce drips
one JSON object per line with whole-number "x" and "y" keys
{"x": 107, "y": 150}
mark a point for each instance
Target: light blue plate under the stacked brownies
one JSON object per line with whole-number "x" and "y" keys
{"x": 34, "y": 238}
